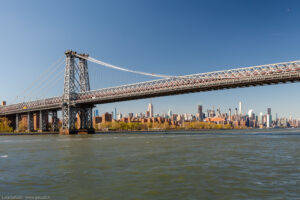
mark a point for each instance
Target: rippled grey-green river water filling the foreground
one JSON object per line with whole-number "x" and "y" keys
{"x": 182, "y": 165}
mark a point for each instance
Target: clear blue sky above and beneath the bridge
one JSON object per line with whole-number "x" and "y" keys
{"x": 157, "y": 36}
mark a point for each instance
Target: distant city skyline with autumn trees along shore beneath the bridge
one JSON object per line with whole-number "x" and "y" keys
{"x": 212, "y": 117}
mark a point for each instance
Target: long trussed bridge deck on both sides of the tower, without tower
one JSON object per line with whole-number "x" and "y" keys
{"x": 243, "y": 77}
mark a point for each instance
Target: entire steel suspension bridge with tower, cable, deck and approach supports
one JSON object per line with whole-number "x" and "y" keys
{"x": 78, "y": 99}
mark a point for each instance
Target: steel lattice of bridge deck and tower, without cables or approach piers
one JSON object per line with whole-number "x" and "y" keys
{"x": 85, "y": 99}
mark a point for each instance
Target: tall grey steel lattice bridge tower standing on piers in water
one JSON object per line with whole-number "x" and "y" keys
{"x": 70, "y": 110}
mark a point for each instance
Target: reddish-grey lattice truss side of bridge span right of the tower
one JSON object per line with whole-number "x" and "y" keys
{"x": 218, "y": 78}
